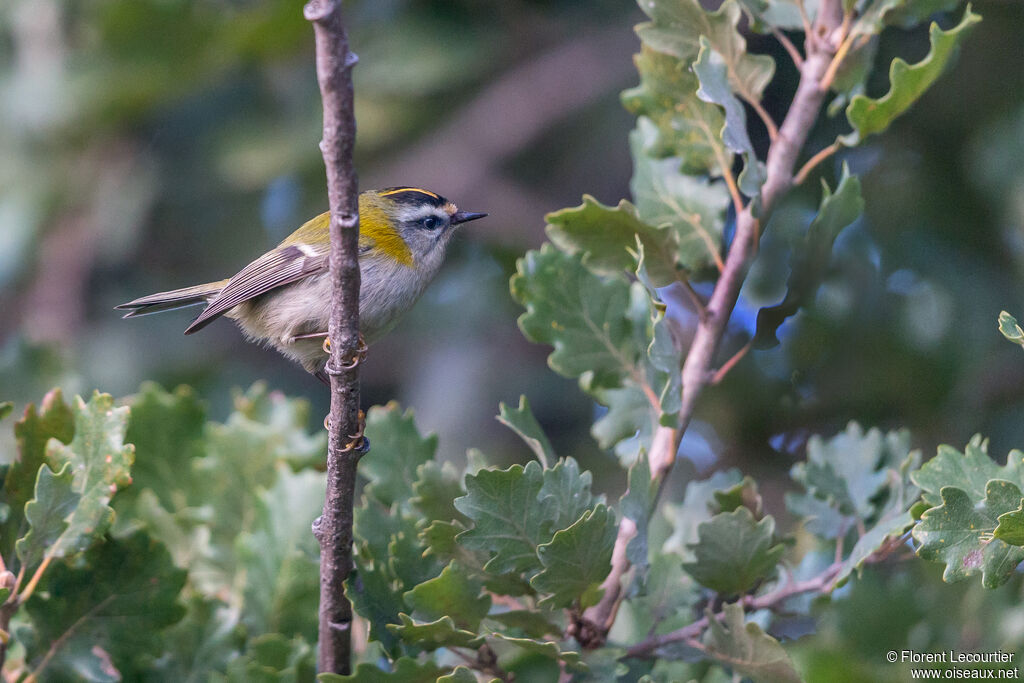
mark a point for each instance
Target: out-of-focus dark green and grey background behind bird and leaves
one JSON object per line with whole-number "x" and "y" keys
{"x": 149, "y": 145}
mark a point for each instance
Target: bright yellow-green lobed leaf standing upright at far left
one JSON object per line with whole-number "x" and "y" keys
{"x": 100, "y": 462}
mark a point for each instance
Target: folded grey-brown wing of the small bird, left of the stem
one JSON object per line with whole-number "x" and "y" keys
{"x": 281, "y": 267}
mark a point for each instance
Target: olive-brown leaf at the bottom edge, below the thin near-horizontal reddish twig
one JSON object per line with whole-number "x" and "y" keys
{"x": 748, "y": 651}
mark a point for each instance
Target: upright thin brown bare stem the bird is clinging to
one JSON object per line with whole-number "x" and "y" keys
{"x": 334, "y": 72}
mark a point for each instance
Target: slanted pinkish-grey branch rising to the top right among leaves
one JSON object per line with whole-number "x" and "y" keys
{"x": 697, "y": 373}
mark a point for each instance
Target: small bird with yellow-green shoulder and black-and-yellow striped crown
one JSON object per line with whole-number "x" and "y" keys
{"x": 283, "y": 298}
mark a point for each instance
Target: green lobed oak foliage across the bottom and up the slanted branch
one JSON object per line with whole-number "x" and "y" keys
{"x": 142, "y": 540}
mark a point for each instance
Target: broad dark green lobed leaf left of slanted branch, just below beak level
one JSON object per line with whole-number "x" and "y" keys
{"x": 584, "y": 317}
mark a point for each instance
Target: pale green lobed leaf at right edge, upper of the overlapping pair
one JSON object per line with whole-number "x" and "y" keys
{"x": 970, "y": 472}
